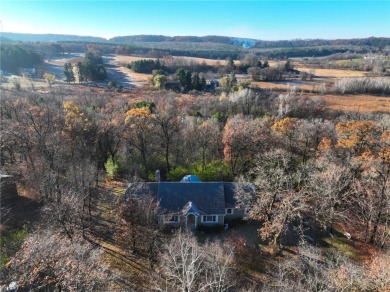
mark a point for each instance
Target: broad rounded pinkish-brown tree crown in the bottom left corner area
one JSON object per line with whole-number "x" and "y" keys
{"x": 51, "y": 262}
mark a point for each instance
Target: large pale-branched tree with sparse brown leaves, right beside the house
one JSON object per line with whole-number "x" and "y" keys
{"x": 280, "y": 195}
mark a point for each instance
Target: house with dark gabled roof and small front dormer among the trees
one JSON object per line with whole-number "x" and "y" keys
{"x": 192, "y": 202}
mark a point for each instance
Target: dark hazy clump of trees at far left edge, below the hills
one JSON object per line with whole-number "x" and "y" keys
{"x": 13, "y": 58}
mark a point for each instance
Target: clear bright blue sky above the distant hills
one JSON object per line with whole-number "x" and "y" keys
{"x": 265, "y": 20}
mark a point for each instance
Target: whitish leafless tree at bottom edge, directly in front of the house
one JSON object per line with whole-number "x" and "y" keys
{"x": 188, "y": 266}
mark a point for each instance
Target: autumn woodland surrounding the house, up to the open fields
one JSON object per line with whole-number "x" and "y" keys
{"x": 317, "y": 175}
